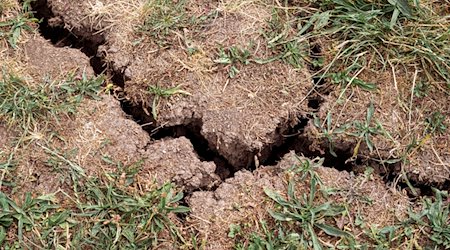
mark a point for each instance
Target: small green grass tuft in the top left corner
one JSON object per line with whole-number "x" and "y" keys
{"x": 12, "y": 28}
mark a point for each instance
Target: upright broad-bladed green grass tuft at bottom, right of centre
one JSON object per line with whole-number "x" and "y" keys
{"x": 300, "y": 218}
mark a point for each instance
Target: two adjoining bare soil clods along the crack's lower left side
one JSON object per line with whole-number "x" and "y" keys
{"x": 102, "y": 129}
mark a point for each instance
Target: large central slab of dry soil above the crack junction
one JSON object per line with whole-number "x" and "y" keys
{"x": 240, "y": 115}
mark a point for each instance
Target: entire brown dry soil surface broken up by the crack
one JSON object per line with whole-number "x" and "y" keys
{"x": 254, "y": 116}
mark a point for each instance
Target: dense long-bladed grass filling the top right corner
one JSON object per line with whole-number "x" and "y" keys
{"x": 389, "y": 30}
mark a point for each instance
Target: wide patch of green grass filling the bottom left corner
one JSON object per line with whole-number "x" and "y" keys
{"x": 106, "y": 212}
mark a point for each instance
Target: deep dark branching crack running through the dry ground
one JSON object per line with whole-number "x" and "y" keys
{"x": 291, "y": 137}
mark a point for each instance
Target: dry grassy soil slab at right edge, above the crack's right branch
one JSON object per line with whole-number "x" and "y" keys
{"x": 403, "y": 119}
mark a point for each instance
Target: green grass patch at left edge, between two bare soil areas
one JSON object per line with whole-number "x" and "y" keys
{"x": 27, "y": 105}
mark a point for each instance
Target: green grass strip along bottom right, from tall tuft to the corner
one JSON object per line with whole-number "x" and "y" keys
{"x": 302, "y": 219}
